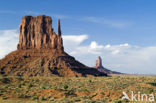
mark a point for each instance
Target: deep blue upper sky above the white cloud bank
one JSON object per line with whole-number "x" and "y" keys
{"x": 137, "y": 18}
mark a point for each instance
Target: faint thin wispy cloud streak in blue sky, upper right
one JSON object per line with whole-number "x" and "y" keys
{"x": 108, "y": 22}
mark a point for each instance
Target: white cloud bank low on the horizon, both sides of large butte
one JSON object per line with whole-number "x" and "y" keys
{"x": 122, "y": 57}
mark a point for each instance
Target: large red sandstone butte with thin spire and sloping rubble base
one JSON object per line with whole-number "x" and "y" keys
{"x": 40, "y": 52}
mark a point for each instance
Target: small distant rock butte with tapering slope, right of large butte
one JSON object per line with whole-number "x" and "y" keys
{"x": 100, "y": 67}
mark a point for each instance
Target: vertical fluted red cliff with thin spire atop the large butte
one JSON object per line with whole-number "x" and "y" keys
{"x": 37, "y": 33}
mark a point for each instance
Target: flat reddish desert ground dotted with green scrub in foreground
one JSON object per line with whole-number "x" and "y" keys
{"x": 73, "y": 89}
